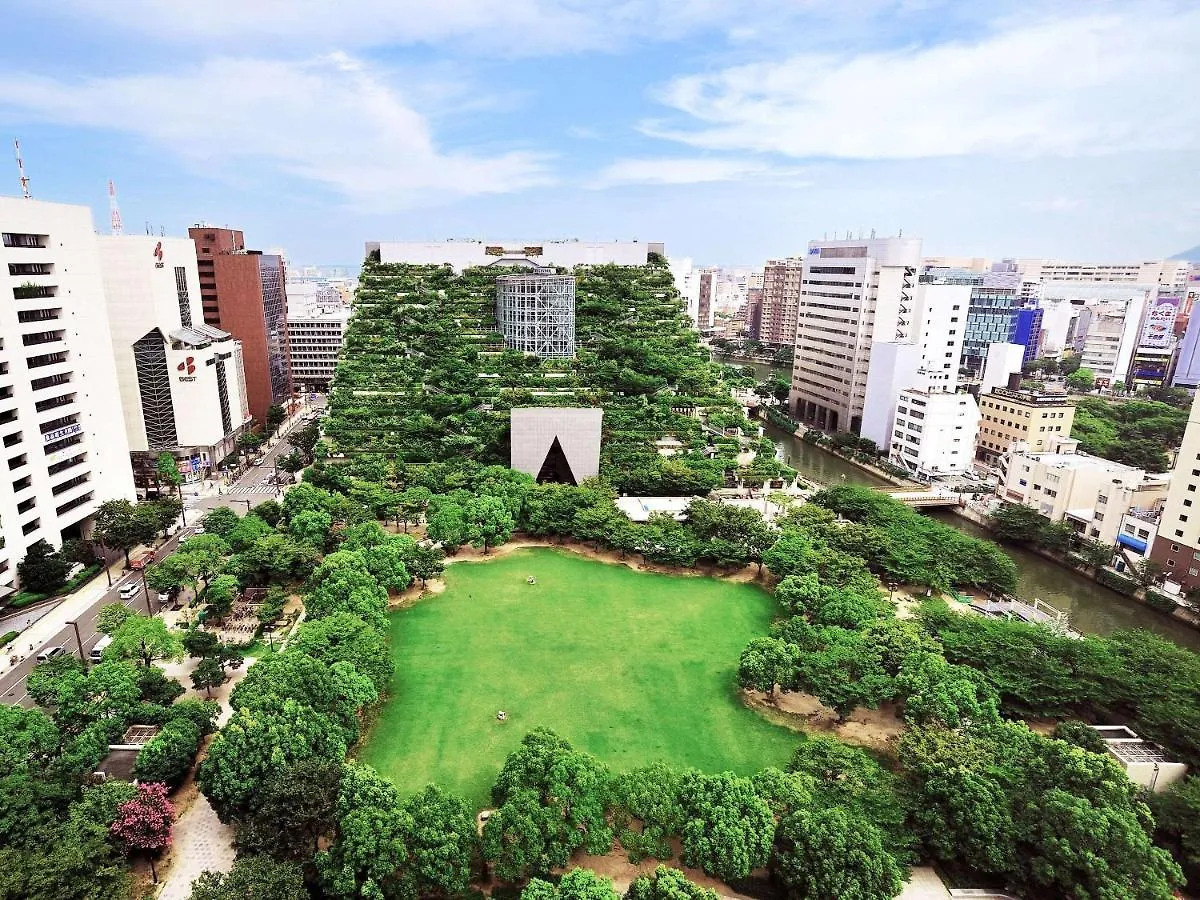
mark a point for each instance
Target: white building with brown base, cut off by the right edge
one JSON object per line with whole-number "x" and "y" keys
{"x": 1177, "y": 547}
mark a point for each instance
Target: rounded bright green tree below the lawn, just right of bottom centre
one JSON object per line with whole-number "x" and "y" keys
{"x": 729, "y": 827}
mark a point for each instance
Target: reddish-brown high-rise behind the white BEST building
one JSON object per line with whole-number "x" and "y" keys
{"x": 243, "y": 292}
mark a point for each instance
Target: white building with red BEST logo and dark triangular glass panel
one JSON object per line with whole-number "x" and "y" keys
{"x": 182, "y": 382}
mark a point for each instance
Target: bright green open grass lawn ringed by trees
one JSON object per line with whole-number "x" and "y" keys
{"x": 629, "y": 667}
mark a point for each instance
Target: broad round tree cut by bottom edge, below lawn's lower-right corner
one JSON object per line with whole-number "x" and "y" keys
{"x": 826, "y": 853}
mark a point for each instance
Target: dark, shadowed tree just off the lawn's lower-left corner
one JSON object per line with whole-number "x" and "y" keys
{"x": 295, "y": 812}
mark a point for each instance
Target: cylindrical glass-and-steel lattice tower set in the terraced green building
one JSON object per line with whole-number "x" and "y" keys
{"x": 536, "y": 313}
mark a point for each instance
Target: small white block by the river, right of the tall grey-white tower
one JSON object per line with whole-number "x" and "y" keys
{"x": 934, "y": 434}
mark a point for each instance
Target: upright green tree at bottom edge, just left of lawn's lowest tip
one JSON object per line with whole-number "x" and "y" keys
{"x": 443, "y": 843}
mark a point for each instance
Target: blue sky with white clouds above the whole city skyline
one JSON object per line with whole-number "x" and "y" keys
{"x": 733, "y": 131}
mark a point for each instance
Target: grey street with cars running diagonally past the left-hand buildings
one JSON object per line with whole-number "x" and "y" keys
{"x": 249, "y": 490}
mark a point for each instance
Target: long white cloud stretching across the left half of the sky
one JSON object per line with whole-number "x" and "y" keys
{"x": 331, "y": 121}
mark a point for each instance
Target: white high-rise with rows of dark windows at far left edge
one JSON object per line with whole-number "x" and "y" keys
{"x": 64, "y": 453}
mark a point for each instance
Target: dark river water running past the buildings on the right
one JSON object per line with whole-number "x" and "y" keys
{"x": 1091, "y": 608}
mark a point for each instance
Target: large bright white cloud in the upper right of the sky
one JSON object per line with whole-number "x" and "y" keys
{"x": 1069, "y": 87}
